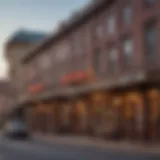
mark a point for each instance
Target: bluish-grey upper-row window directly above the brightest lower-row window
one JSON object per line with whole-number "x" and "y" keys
{"x": 127, "y": 14}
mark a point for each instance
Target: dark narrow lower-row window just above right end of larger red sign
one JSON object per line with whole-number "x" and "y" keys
{"x": 97, "y": 61}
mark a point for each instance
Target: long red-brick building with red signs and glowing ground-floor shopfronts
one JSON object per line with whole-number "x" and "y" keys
{"x": 103, "y": 61}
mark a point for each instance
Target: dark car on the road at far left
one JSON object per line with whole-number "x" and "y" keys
{"x": 15, "y": 129}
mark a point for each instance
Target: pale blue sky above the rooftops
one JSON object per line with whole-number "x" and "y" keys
{"x": 40, "y": 15}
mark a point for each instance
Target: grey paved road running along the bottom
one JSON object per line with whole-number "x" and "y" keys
{"x": 32, "y": 150}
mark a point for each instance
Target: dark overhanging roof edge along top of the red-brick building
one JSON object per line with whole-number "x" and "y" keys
{"x": 85, "y": 15}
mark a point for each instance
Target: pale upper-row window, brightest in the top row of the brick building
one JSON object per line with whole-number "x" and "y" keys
{"x": 111, "y": 23}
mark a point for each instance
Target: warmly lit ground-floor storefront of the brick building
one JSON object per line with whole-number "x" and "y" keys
{"x": 113, "y": 114}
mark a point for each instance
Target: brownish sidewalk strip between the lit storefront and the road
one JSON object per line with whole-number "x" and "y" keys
{"x": 80, "y": 141}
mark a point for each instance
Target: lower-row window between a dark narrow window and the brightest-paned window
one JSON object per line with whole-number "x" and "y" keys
{"x": 112, "y": 59}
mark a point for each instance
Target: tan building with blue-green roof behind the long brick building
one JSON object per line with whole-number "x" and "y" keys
{"x": 16, "y": 46}
